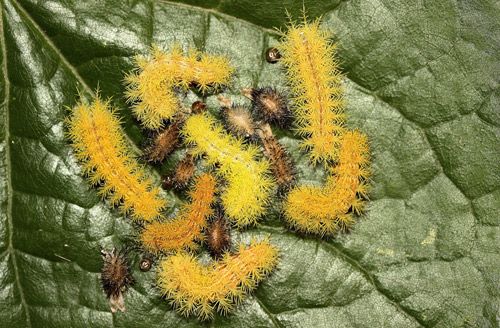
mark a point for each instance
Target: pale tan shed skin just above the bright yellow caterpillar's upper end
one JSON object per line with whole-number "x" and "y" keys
{"x": 238, "y": 121}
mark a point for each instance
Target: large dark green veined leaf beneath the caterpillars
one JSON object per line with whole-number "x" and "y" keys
{"x": 422, "y": 81}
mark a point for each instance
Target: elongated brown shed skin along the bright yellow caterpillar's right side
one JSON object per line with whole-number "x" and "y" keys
{"x": 281, "y": 164}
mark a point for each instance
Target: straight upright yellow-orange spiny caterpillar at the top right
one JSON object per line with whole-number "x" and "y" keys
{"x": 315, "y": 81}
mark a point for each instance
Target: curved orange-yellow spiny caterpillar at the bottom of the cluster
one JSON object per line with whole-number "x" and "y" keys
{"x": 202, "y": 290}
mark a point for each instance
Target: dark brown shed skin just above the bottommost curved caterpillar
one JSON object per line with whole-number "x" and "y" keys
{"x": 218, "y": 237}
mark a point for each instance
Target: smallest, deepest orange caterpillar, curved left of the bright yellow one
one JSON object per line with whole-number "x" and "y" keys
{"x": 183, "y": 231}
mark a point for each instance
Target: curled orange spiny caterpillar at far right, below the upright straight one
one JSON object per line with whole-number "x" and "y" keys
{"x": 324, "y": 210}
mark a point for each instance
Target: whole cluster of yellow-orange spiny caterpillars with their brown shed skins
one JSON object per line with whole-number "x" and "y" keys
{"x": 236, "y": 187}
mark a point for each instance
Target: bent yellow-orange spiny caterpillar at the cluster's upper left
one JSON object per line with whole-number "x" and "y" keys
{"x": 150, "y": 86}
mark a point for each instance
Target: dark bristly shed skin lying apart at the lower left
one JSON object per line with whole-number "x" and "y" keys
{"x": 115, "y": 278}
